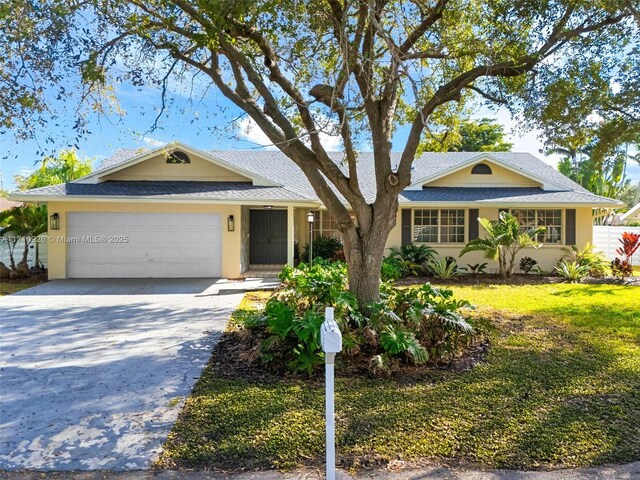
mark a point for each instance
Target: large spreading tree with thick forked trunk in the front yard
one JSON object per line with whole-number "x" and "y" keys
{"x": 357, "y": 68}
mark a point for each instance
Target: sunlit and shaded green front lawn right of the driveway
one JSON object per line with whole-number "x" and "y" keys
{"x": 559, "y": 389}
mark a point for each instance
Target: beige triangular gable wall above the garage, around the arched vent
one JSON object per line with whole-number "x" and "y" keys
{"x": 157, "y": 168}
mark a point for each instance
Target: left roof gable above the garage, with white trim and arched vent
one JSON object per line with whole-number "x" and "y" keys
{"x": 153, "y": 166}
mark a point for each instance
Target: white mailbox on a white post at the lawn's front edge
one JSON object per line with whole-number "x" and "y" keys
{"x": 331, "y": 340}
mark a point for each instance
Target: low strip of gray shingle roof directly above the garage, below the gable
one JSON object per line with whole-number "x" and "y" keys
{"x": 173, "y": 189}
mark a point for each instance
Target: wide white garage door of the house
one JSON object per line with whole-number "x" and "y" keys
{"x": 144, "y": 245}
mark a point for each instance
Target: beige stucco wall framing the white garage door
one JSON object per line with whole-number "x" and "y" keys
{"x": 231, "y": 241}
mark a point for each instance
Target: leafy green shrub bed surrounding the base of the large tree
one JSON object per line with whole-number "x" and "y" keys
{"x": 407, "y": 326}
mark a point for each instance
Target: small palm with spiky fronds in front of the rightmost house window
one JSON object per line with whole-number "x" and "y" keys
{"x": 503, "y": 241}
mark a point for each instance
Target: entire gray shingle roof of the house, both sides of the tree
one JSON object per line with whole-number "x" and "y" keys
{"x": 276, "y": 167}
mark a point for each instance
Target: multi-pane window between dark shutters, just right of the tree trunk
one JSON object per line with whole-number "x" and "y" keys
{"x": 438, "y": 226}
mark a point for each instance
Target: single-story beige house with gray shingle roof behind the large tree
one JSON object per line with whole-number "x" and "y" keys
{"x": 181, "y": 212}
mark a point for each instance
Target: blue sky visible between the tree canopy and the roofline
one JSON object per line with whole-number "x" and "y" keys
{"x": 210, "y": 123}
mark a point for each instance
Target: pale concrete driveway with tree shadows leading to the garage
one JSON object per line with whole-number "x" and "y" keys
{"x": 94, "y": 372}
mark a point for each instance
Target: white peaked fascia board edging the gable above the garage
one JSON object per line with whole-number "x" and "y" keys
{"x": 256, "y": 179}
